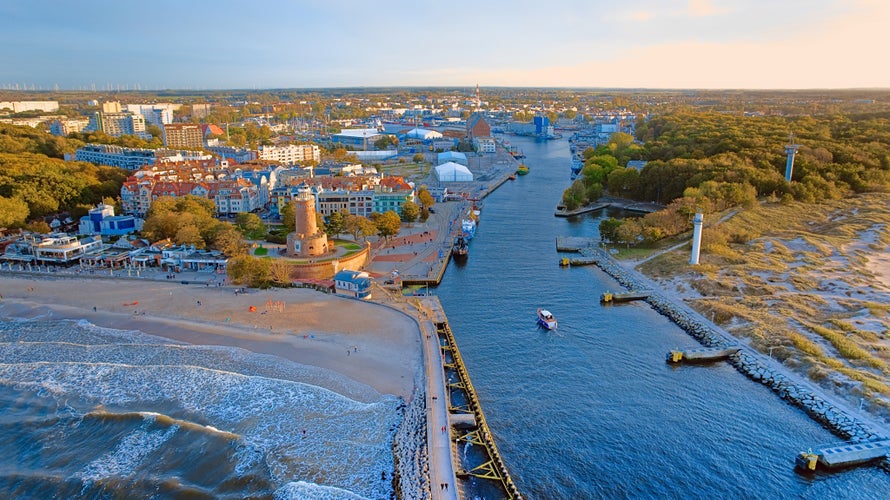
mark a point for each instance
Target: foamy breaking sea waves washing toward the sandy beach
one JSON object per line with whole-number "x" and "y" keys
{"x": 90, "y": 412}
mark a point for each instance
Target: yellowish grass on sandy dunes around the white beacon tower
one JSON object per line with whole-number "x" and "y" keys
{"x": 789, "y": 275}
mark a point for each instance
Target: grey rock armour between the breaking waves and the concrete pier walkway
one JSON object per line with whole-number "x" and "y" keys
{"x": 412, "y": 480}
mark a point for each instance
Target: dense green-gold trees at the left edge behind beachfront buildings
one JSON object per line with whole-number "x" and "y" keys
{"x": 35, "y": 183}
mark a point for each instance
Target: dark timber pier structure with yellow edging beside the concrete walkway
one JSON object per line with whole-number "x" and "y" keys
{"x": 466, "y": 421}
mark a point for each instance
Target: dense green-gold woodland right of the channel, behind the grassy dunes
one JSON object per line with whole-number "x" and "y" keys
{"x": 709, "y": 162}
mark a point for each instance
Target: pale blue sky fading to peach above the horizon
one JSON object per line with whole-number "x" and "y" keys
{"x": 228, "y": 44}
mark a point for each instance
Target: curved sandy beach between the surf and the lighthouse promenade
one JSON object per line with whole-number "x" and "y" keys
{"x": 368, "y": 343}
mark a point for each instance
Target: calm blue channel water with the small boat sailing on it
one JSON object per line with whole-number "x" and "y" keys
{"x": 592, "y": 410}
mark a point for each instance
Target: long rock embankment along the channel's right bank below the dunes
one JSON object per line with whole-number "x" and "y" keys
{"x": 751, "y": 365}
